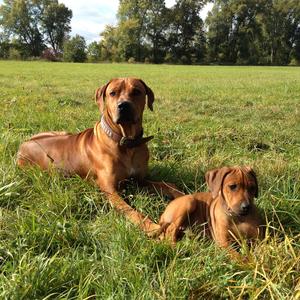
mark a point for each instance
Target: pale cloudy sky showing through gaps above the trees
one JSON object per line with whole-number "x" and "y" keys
{"x": 91, "y": 16}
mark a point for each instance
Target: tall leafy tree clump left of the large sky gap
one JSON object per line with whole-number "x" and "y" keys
{"x": 36, "y": 23}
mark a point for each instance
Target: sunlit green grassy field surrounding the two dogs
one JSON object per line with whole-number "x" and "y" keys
{"x": 60, "y": 239}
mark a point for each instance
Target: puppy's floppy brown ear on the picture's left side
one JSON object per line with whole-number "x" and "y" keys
{"x": 215, "y": 178}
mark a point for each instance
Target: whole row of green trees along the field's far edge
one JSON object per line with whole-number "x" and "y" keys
{"x": 235, "y": 32}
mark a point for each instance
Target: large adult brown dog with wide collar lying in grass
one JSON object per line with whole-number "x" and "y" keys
{"x": 111, "y": 152}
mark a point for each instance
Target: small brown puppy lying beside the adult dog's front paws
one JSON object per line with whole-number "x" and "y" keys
{"x": 226, "y": 213}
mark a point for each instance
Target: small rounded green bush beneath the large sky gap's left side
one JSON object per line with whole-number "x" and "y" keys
{"x": 75, "y": 49}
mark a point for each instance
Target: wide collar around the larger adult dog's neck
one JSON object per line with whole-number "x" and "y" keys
{"x": 122, "y": 140}
